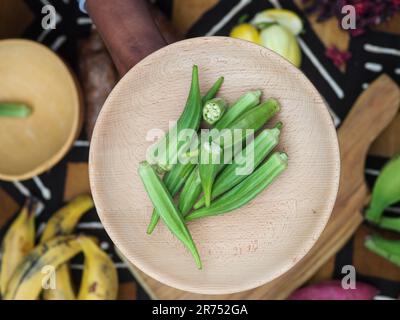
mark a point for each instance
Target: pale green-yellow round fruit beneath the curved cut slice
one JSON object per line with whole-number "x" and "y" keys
{"x": 283, "y": 42}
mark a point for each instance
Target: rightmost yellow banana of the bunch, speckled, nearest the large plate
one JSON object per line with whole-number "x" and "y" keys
{"x": 99, "y": 279}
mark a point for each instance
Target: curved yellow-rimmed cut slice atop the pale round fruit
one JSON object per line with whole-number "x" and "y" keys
{"x": 283, "y": 17}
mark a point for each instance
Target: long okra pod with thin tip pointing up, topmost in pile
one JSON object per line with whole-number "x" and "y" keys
{"x": 167, "y": 150}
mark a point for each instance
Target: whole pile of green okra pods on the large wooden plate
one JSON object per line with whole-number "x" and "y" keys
{"x": 188, "y": 190}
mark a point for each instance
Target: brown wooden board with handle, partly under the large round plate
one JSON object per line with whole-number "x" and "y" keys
{"x": 368, "y": 117}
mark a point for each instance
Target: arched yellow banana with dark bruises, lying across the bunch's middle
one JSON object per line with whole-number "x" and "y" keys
{"x": 28, "y": 279}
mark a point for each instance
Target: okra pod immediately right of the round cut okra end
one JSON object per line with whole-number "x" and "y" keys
{"x": 243, "y": 104}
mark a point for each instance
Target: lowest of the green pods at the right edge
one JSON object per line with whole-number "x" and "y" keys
{"x": 388, "y": 249}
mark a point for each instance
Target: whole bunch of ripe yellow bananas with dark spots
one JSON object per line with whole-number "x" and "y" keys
{"x": 28, "y": 270}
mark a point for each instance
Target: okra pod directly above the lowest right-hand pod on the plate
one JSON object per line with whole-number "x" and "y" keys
{"x": 255, "y": 153}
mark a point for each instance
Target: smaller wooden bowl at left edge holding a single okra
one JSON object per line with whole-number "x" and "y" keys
{"x": 33, "y": 74}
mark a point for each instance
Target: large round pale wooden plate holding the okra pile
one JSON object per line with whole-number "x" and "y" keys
{"x": 245, "y": 248}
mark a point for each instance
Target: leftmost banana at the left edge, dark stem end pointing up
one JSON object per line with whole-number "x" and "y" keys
{"x": 18, "y": 241}
